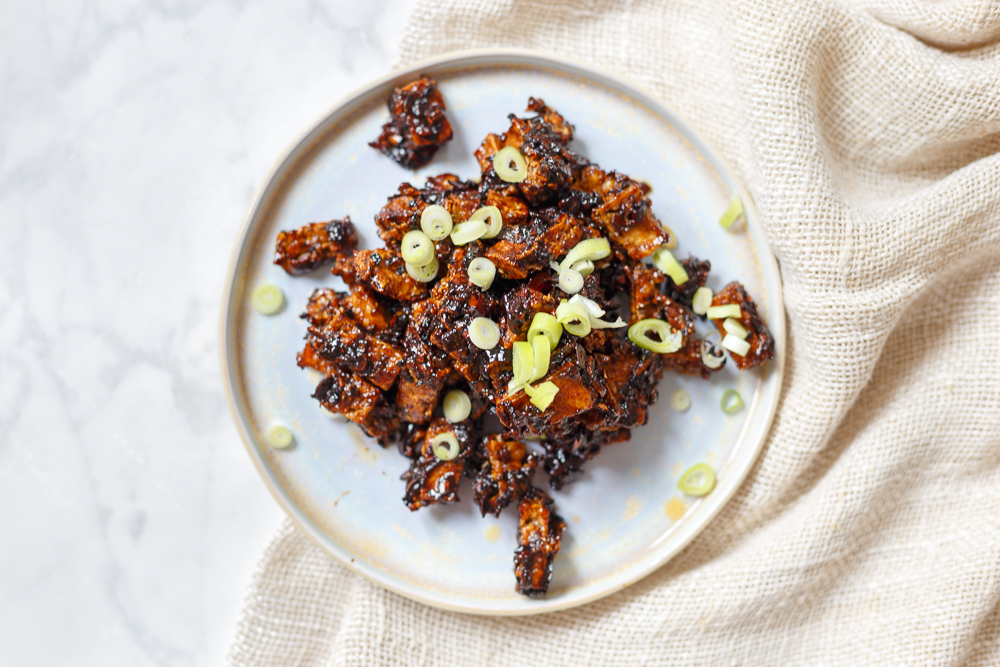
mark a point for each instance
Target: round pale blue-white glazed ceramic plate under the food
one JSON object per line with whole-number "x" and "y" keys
{"x": 625, "y": 517}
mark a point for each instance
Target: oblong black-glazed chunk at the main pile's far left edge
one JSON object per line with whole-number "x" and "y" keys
{"x": 342, "y": 342}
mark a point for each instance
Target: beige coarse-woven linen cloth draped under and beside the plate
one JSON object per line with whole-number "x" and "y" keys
{"x": 868, "y": 533}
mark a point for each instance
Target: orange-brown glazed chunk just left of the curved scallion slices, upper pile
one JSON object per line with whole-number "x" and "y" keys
{"x": 525, "y": 249}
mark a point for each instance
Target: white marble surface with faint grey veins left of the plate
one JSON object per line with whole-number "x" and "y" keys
{"x": 132, "y": 138}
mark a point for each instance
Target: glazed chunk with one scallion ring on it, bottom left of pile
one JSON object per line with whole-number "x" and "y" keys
{"x": 430, "y": 480}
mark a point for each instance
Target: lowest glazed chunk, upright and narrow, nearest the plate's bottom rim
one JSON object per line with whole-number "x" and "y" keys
{"x": 539, "y": 536}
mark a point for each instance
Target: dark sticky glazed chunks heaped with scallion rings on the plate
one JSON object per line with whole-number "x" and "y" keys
{"x": 523, "y": 295}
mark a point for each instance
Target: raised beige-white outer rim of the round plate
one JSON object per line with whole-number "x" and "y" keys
{"x": 746, "y": 450}
